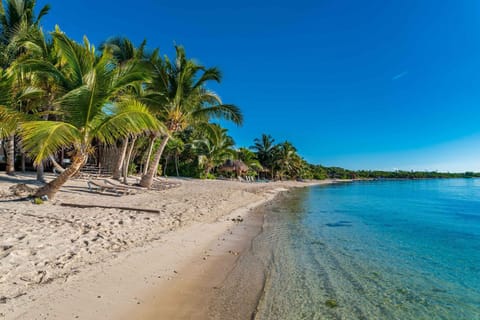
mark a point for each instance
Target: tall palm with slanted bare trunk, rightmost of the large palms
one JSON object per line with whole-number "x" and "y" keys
{"x": 179, "y": 95}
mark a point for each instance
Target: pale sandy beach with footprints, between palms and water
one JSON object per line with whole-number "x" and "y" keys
{"x": 68, "y": 263}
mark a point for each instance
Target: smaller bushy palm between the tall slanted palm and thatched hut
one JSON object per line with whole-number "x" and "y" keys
{"x": 215, "y": 148}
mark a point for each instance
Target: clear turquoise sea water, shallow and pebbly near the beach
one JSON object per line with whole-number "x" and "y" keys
{"x": 373, "y": 250}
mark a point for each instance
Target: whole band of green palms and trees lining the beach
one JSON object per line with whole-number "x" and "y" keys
{"x": 62, "y": 101}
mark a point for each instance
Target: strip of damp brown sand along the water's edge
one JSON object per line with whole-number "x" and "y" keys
{"x": 192, "y": 294}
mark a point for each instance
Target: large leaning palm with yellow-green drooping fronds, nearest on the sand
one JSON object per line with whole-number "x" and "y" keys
{"x": 87, "y": 110}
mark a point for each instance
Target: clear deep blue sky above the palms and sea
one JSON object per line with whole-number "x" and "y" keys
{"x": 359, "y": 84}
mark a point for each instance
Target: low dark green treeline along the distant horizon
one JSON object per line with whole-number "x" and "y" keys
{"x": 321, "y": 172}
